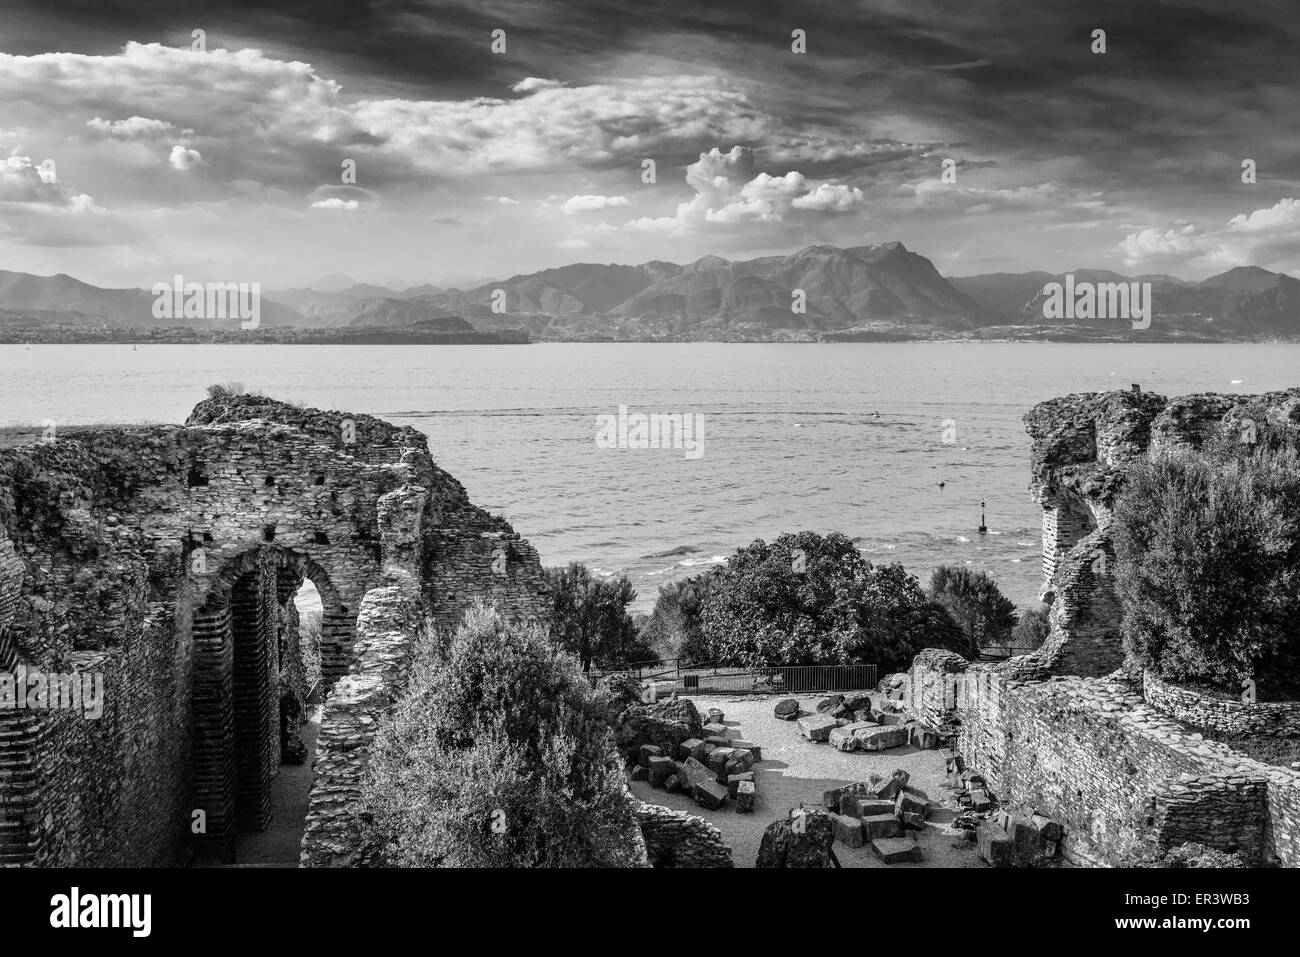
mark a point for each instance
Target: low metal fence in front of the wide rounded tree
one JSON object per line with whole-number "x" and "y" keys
{"x": 670, "y": 677}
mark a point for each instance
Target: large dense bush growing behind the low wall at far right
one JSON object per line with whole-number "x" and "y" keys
{"x": 1208, "y": 565}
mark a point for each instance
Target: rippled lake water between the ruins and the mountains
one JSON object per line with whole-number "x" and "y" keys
{"x": 846, "y": 438}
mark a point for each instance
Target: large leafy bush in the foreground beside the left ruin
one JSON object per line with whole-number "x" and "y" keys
{"x": 500, "y": 755}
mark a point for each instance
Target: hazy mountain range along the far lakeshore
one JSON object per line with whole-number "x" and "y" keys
{"x": 882, "y": 291}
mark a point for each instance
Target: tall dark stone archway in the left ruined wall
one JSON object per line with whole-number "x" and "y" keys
{"x": 239, "y": 649}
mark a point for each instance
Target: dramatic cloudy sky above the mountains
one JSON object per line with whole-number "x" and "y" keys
{"x": 128, "y": 155}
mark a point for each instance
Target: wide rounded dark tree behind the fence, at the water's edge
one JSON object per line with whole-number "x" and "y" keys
{"x": 813, "y": 600}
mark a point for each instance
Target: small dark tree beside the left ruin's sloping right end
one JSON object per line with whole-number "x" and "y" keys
{"x": 590, "y": 618}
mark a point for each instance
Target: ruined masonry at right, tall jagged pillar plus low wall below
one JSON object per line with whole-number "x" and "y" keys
{"x": 1073, "y": 730}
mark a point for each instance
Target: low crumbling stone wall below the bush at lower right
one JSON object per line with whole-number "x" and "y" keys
{"x": 1123, "y": 777}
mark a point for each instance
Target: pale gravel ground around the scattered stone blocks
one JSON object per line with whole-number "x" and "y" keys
{"x": 796, "y": 772}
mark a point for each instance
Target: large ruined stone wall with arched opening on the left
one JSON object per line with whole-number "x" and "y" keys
{"x": 167, "y": 561}
